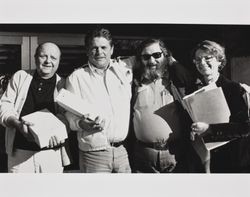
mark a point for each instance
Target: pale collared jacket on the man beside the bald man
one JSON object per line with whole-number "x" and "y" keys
{"x": 110, "y": 93}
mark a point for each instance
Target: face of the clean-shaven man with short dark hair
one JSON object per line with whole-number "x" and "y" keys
{"x": 99, "y": 52}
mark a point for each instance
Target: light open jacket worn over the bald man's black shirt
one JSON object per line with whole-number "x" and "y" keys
{"x": 12, "y": 103}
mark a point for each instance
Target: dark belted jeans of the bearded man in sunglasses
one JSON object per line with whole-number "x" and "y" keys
{"x": 149, "y": 160}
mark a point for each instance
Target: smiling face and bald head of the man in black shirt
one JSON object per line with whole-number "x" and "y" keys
{"x": 47, "y": 60}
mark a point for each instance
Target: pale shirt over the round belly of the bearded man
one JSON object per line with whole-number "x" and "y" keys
{"x": 153, "y": 108}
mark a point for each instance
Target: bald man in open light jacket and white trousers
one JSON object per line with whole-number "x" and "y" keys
{"x": 26, "y": 93}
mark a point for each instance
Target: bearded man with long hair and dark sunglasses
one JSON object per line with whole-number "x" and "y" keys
{"x": 158, "y": 119}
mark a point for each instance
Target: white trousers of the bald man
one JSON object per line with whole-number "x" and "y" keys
{"x": 25, "y": 161}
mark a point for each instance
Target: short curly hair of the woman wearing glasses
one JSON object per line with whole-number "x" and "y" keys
{"x": 214, "y": 48}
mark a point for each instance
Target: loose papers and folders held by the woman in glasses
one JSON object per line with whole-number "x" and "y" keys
{"x": 210, "y": 106}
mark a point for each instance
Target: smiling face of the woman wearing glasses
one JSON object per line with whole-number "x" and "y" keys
{"x": 207, "y": 64}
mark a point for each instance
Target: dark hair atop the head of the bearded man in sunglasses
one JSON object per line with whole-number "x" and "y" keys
{"x": 151, "y": 41}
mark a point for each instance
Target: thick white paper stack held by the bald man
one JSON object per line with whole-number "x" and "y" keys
{"x": 44, "y": 126}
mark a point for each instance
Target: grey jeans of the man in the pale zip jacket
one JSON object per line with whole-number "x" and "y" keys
{"x": 111, "y": 160}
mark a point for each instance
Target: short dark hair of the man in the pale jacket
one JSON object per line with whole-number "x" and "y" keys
{"x": 99, "y": 32}
